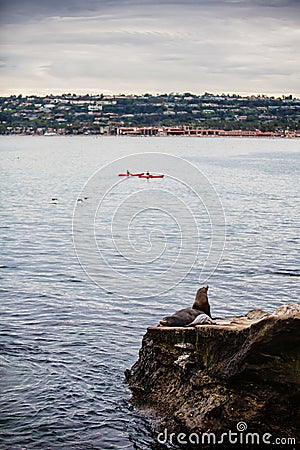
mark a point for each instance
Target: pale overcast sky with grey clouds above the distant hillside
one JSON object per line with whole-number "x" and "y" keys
{"x": 147, "y": 46}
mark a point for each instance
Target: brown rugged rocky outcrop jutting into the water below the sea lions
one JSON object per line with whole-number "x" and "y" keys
{"x": 210, "y": 377}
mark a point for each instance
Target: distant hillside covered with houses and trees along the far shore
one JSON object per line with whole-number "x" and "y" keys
{"x": 151, "y": 115}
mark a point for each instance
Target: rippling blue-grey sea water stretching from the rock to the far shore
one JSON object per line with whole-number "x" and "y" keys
{"x": 65, "y": 342}
